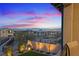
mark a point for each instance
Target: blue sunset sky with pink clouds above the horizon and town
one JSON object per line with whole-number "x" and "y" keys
{"x": 29, "y": 15}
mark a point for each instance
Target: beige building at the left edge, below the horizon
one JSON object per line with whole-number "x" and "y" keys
{"x": 6, "y": 32}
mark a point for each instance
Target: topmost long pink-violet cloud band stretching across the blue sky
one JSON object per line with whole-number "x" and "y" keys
{"x": 13, "y": 14}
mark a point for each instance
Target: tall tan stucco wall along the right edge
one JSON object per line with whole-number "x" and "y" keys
{"x": 71, "y": 28}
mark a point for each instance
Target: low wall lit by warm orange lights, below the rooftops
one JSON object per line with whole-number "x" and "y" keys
{"x": 46, "y": 47}
